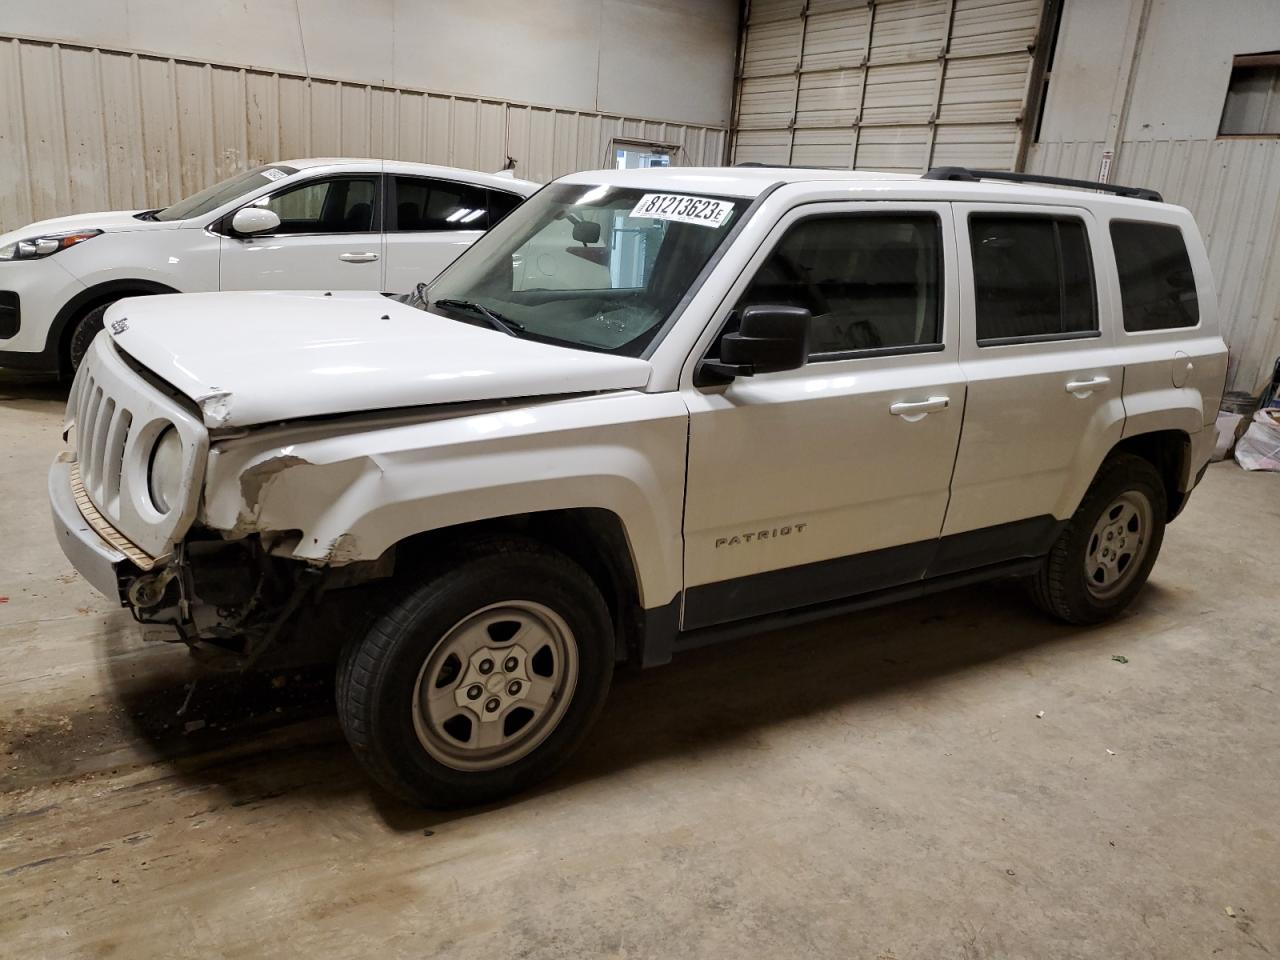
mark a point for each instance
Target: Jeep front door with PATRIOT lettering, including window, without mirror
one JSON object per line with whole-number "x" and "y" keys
{"x": 816, "y": 484}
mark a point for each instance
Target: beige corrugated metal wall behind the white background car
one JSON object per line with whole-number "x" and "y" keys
{"x": 108, "y": 130}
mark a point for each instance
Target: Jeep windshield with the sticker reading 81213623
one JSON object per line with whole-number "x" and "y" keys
{"x": 592, "y": 267}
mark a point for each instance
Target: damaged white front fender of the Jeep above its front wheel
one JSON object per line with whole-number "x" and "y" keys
{"x": 358, "y": 487}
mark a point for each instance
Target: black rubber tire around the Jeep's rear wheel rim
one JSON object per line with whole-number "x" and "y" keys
{"x": 1062, "y": 587}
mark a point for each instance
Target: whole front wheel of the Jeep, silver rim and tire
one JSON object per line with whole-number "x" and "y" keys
{"x": 479, "y": 680}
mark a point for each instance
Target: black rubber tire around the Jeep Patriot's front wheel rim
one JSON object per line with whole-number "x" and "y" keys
{"x": 378, "y": 674}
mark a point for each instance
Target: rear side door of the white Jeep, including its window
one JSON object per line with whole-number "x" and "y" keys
{"x": 1045, "y": 382}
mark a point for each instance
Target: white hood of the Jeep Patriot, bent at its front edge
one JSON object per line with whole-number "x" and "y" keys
{"x": 266, "y": 356}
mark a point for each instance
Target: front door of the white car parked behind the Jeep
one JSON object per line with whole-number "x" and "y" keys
{"x": 330, "y": 239}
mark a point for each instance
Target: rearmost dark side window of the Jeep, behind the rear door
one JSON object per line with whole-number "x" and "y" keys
{"x": 1158, "y": 289}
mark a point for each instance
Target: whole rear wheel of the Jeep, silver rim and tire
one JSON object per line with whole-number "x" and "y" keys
{"x": 1103, "y": 559}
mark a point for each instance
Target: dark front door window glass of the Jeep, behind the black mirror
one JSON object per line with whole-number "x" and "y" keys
{"x": 870, "y": 282}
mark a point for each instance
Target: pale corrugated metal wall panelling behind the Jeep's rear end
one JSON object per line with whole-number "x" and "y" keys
{"x": 1233, "y": 190}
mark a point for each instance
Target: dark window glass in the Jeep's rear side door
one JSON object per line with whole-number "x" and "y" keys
{"x": 1032, "y": 278}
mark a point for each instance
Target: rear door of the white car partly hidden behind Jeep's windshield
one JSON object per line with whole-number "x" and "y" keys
{"x": 429, "y": 223}
